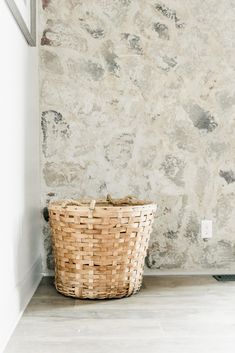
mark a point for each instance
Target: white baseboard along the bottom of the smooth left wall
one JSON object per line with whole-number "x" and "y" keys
{"x": 18, "y": 300}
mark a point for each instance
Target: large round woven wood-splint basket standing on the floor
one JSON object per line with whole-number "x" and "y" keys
{"x": 100, "y": 247}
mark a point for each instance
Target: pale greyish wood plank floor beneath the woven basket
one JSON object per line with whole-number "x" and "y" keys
{"x": 169, "y": 315}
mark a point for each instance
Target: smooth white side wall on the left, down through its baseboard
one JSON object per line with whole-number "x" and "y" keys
{"x": 20, "y": 246}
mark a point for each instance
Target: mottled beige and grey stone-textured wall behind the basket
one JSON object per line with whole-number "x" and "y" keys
{"x": 138, "y": 97}
